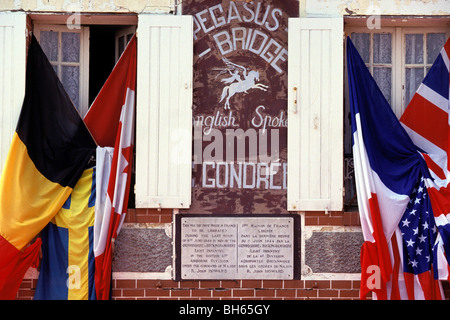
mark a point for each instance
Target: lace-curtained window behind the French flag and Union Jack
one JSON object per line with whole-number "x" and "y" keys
{"x": 398, "y": 58}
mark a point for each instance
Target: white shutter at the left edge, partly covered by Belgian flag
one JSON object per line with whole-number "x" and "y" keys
{"x": 12, "y": 76}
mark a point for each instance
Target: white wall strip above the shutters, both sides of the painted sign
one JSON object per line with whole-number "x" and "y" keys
{"x": 310, "y": 8}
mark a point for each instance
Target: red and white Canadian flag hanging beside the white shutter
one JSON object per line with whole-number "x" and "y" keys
{"x": 111, "y": 122}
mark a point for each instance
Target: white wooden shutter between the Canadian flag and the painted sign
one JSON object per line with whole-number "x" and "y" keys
{"x": 164, "y": 111}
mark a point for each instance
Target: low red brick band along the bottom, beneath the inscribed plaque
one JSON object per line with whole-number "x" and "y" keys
{"x": 222, "y": 290}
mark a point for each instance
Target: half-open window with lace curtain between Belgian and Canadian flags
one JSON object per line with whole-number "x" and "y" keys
{"x": 83, "y": 57}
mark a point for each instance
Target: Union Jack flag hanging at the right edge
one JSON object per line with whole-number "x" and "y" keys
{"x": 426, "y": 120}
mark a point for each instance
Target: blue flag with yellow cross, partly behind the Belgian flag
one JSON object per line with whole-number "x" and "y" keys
{"x": 67, "y": 267}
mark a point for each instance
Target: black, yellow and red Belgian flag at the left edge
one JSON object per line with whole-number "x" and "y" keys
{"x": 50, "y": 149}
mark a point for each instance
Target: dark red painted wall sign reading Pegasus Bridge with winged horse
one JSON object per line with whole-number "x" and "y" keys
{"x": 240, "y": 105}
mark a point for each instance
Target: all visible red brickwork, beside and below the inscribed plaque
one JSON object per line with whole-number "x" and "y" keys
{"x": 132, "y": 289}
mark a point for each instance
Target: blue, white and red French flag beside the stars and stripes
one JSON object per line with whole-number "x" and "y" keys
{"x": 386, "y": 169}
